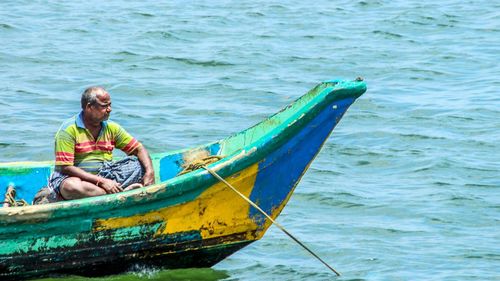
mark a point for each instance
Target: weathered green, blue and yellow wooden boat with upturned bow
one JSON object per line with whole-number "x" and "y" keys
{"x": 188, "y": 220}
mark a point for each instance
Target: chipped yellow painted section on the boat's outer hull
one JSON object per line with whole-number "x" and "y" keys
{"x": 216, "y": 212}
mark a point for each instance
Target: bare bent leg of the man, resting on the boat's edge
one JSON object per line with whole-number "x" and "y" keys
{"x": 75, "y": 188}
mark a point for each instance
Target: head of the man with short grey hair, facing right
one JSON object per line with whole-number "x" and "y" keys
{"x": 96, "y": 104}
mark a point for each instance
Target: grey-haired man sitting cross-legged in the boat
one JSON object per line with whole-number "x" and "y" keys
{"x": 84, "y": 150}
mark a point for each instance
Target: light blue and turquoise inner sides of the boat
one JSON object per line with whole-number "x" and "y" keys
{"x": 29, "y": 177}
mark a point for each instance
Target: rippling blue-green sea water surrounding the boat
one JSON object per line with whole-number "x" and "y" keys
{"x": 407, "y": 187}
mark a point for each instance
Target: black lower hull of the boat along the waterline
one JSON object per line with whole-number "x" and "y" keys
{"x": 93, "y": 261}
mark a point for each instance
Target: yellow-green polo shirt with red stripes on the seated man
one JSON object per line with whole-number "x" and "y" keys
{"x": 75, "y": 145}
